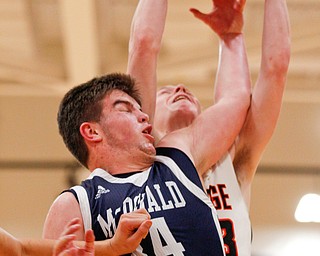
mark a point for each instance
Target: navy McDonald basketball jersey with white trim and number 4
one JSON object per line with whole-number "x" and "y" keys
{"x": 184, "y": 221}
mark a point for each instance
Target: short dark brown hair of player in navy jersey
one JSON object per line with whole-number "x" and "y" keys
{"x": 83, "y": 104}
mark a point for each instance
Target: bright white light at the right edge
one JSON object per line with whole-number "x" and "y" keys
{"x": 308, "y": 209}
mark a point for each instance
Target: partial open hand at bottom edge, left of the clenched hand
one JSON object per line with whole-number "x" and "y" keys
{"x": 65, "y": 245}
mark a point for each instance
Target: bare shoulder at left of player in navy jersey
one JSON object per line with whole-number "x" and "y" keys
{"x": 62, "y": 211}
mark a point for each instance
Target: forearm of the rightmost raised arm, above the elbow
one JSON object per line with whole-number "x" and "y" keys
{"x": 276, "y": 38}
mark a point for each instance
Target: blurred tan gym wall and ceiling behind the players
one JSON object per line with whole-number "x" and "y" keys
{"x": 48, "y": 46}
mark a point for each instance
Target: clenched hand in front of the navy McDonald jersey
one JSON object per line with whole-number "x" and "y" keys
{"x": 132, "y": 228}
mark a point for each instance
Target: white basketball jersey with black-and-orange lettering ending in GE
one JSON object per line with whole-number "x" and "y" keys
{"x": 224, "y": 191}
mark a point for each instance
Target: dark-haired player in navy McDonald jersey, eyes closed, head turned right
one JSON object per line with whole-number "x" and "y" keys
{"x": 102, "y": 124}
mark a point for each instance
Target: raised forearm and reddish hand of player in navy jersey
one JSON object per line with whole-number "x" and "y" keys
{"x": 226, "y": 20}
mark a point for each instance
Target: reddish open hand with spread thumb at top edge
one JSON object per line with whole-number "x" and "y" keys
{"x": 226, "y": 16}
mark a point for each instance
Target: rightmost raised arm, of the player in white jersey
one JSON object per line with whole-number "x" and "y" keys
{"x": 268, "y": 91}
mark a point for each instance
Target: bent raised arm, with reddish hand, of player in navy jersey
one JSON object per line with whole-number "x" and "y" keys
{"x": 214, "y": 131}
